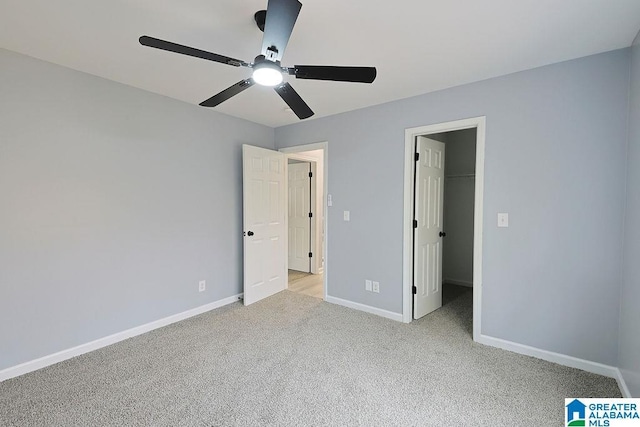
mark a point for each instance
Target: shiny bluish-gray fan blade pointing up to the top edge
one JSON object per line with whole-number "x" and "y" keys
{"x": 281, "y": 17}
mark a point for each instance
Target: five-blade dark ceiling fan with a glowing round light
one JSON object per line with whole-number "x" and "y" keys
{"x": 277, "y": 23}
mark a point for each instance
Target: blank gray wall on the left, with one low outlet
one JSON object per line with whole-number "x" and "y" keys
{"x": 114, "y": 202}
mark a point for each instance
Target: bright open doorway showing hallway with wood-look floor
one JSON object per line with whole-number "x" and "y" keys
{"x": 306, "y": 225}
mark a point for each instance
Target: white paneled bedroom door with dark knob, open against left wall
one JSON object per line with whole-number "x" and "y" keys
{"x": 265, "y": 263}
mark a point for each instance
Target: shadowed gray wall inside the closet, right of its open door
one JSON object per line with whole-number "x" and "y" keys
{"x": 459, "y": 192}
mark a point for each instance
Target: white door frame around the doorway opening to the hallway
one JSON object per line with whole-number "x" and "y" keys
{"x": 291, "y": 152}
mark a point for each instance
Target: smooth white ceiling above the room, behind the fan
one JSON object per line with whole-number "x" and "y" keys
{"x": 418, "y": 46}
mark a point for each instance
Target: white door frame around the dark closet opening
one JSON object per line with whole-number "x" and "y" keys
{"x": 479, "y": 123}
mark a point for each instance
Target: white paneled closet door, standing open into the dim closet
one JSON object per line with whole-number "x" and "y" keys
{"x": 427, "y": 249}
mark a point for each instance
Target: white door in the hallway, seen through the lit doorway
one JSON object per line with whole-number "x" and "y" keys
{"x": 299, "y": 220}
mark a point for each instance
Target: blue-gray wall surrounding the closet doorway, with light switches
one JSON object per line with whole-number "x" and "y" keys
{"x": 555, "y": 160}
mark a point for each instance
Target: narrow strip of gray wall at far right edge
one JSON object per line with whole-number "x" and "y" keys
{"x": 630, "y": 315}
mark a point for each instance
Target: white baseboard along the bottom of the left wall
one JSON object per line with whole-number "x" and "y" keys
{"x": 51, "y": 359}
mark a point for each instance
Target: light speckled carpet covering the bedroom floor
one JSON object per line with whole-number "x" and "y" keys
{"x": 294, "y": 360}
